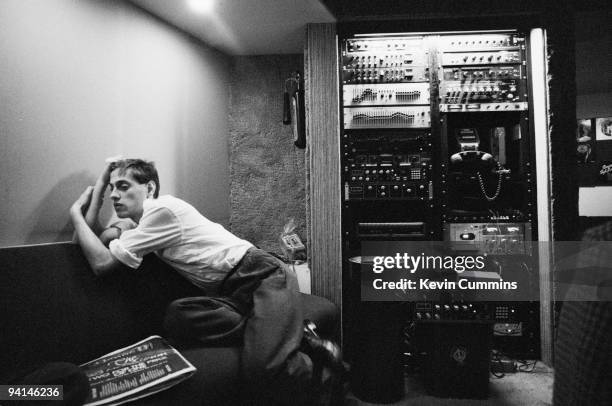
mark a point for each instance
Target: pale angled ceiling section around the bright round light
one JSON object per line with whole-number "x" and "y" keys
{"x": 244, "y": 27}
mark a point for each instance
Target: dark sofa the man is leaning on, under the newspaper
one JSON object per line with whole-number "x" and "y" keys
{"x": 53, "y": 309}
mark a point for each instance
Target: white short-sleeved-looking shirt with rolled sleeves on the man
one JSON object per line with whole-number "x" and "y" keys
{"x": 201, "y": 250}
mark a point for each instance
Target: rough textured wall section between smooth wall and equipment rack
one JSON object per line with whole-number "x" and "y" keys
{"x": 266, "y": 169}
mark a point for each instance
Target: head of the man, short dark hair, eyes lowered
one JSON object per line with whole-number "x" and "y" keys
{"x": 132, "y": 181}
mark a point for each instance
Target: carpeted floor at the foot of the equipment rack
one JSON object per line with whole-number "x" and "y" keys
{"x": 516, "y": 389}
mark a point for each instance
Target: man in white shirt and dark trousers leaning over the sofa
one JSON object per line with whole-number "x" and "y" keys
{"x": 246, "y": 297}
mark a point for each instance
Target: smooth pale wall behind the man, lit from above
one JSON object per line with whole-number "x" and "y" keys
{"x": 84, "y": 80}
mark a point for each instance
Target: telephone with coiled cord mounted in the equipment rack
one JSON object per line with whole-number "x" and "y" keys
{"x": 471, "y": 159}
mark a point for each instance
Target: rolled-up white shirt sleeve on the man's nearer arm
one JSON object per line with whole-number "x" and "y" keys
{"x": 158, "y": 229}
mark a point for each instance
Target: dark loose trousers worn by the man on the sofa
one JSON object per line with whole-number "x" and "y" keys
{"x": 259, "y": 305}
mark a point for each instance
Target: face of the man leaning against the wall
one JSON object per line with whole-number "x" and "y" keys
{"x": 127, "y": 195}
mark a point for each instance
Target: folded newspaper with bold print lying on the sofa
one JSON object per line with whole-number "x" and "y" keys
{"x": 136, "y": 371}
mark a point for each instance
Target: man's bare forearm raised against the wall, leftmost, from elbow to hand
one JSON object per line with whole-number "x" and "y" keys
{"x": 99, "y": 257}
